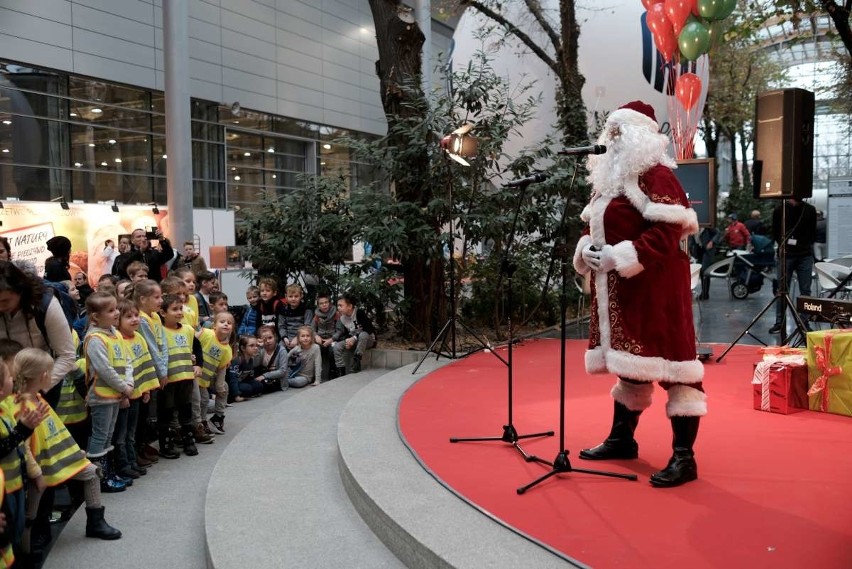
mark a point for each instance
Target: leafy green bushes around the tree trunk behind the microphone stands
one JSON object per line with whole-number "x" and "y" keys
{"x": 403, "y": 216}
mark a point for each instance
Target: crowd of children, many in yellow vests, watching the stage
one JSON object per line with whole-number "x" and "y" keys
{"x": 154, "y": 354}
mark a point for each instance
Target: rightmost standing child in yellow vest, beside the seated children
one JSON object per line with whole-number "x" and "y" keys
{"x": 217, "y": 355}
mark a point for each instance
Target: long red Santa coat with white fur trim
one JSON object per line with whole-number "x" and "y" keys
{"x": 641, "y": 323}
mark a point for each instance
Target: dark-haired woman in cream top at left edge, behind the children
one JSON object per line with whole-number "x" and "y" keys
{"x": 21, "y": 299}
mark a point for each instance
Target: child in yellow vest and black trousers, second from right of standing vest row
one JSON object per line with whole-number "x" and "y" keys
{"x": 182, "y": 371}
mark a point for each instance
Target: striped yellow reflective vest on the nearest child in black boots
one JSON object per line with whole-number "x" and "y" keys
{"x": 54, "y": 449}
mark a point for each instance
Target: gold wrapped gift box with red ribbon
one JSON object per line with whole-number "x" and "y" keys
{"x": 830, "y": 371}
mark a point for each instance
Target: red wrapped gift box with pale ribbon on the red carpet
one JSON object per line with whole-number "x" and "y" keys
{"x": 780, "y": 387}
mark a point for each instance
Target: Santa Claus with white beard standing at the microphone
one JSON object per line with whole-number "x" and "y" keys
{"x": 641, "y": 327}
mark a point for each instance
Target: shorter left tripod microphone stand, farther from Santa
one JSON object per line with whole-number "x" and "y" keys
{"x": 510, "y": 434}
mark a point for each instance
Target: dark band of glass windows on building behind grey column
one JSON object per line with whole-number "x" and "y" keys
{"x": 94, "y": 141}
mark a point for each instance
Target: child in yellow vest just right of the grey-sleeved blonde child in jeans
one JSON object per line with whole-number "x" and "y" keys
{"x": 145, "y": 380}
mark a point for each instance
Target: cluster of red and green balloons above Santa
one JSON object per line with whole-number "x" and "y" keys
{"x": 686, "y": 30}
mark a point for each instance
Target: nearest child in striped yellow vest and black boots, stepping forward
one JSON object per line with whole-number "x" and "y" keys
{"x": 56, "y": 453}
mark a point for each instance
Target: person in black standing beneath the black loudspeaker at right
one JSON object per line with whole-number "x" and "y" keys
{"x": 794, "y": 230}
